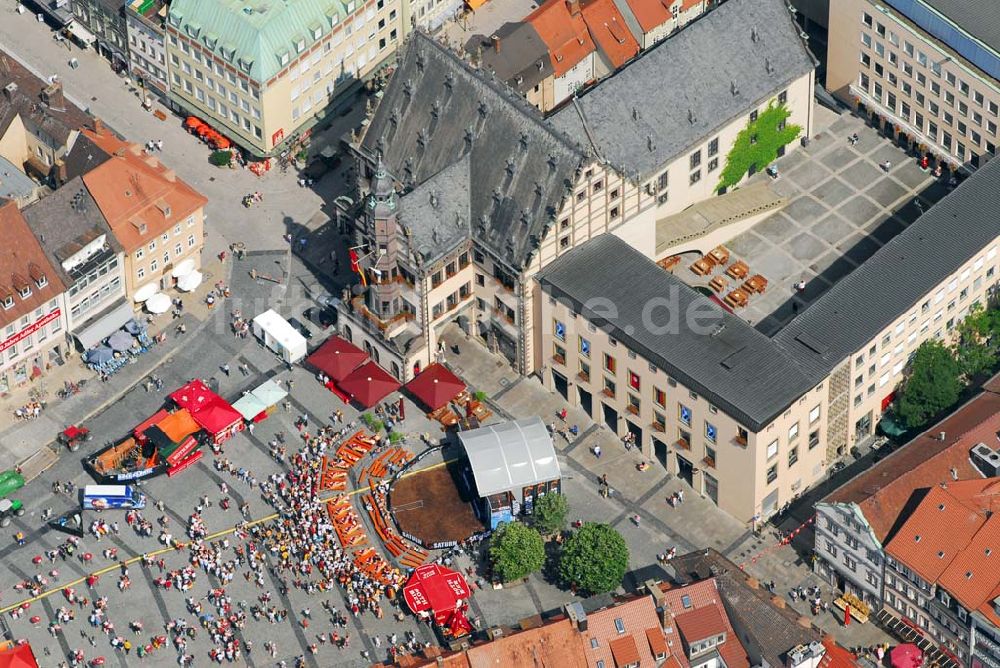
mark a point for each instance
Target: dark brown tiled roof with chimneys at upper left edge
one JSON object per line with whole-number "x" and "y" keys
{"x": 26, "y": 101}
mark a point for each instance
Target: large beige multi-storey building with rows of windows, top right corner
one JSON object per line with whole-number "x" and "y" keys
{"x": 920, "y": 88}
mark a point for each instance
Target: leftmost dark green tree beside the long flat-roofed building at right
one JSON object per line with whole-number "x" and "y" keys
{"x": 933, "y": 385}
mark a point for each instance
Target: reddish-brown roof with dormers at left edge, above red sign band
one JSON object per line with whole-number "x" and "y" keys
{"x": 21, "y": 257}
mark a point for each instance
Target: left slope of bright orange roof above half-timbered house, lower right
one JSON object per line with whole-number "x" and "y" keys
{"x": 934, "y": 534}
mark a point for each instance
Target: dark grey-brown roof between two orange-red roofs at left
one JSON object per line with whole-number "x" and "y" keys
{"x": 66, "y": 221}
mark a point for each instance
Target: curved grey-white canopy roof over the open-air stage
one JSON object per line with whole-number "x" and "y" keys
{"x": 509, "y": 456}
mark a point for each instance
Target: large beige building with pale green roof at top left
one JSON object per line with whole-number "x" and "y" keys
{"x": 262, "y": 74}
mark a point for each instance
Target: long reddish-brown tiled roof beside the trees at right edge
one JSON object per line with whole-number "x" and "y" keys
{"x": 883, "y": 492}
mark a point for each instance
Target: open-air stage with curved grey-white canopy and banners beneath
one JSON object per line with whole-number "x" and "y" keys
{"x": 513, "y": 464}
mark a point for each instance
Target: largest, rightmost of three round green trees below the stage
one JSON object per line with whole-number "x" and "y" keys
{"x": 594, "y": 559}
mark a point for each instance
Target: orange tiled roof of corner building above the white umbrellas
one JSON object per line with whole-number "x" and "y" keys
{"x": 140, "y": 198}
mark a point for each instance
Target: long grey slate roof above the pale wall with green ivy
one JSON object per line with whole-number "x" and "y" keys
{"x": 686, "y": 85}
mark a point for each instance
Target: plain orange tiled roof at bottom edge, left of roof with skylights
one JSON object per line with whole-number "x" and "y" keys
{"x": 555, "y": 644}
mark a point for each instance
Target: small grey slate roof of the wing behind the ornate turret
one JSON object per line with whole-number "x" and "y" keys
{"x": 436, "y": 213}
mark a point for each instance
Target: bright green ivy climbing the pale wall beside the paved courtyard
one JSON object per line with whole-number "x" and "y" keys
{"x": 758, "y": 143}
